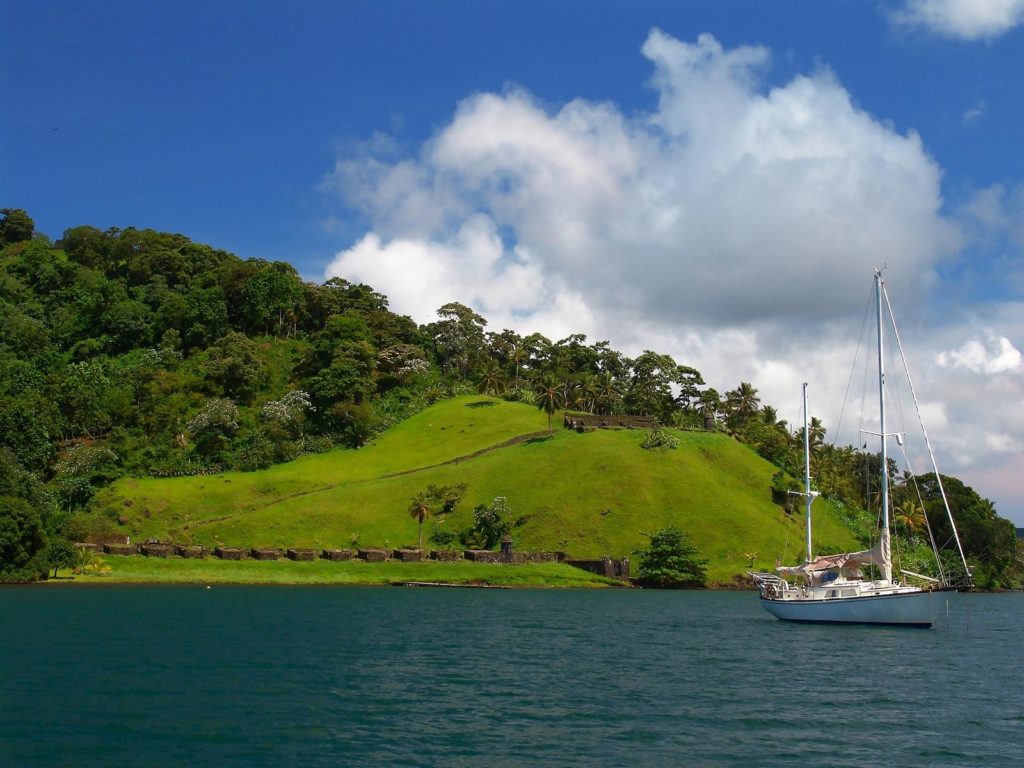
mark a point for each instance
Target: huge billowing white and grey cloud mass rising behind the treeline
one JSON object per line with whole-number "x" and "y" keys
{"x": 735, "y": 226}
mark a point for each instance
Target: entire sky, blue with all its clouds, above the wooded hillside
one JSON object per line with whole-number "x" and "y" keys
{"x": 352, "y": 138}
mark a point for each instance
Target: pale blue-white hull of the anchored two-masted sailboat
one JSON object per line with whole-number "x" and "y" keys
{"x": 906, "y": 610}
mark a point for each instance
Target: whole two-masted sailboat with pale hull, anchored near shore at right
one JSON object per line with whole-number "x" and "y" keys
{"x": 830, "y": 589}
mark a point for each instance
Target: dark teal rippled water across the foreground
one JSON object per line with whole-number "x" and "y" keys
{"x": 269, "y": 676}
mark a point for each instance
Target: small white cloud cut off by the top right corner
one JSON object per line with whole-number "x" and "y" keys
{"x": 969, "y": 20}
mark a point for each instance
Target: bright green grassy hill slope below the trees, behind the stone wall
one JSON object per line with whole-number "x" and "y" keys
{"x": 588, "y": 495}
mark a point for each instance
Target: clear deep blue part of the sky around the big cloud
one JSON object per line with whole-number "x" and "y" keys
{"x": 220, "y": 119}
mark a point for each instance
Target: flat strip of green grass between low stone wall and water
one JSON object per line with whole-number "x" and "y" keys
{"x": 139, "y": 570}
